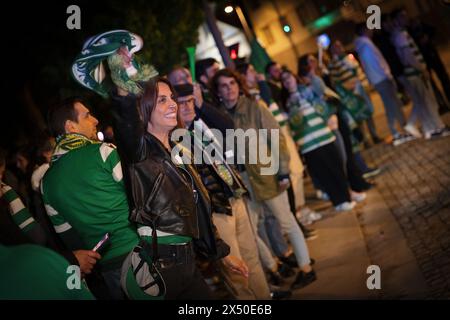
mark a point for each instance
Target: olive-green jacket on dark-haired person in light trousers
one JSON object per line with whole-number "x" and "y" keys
{"x": 250, "y": 114}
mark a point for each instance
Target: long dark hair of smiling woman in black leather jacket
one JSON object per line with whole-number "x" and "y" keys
{"x": 147, "y": 102}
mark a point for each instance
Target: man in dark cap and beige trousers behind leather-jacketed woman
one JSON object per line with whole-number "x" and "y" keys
{"x": 228, "y": 206}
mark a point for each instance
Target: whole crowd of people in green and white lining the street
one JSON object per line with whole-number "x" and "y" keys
{"x": 179, "y": 229}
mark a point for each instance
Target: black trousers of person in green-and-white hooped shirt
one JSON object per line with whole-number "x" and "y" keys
{"x": 326, "y": 165}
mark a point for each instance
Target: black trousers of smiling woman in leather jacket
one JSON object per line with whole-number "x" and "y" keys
{"x": 181, "y": 275}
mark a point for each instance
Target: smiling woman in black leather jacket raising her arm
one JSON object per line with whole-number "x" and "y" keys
{"x": 167, "y": 200}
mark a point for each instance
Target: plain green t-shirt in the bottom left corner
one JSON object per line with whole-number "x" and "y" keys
{"x": 31, "y": 272}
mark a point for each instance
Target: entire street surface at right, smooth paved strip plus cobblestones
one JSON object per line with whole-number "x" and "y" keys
{"x": 403, "y": 226}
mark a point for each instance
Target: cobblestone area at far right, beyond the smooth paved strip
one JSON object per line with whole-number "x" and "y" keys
{"x": 415, "y": 185}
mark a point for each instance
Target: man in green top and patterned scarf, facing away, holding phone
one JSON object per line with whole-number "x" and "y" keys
{"x": 84, "y": 194}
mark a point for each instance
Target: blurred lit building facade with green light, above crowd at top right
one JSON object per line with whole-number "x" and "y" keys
{"x": 307, "y": 19}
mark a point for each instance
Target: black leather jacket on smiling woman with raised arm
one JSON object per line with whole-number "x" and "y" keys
{"x": 162, "y": 195}
